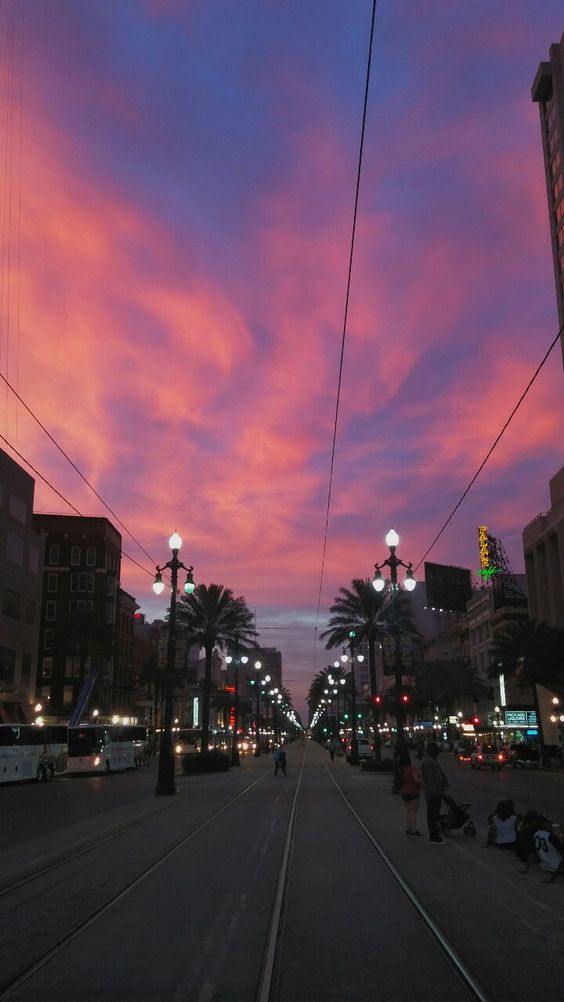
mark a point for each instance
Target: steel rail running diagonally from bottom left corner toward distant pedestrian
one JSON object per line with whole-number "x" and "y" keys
{"x": 24, "y": 976}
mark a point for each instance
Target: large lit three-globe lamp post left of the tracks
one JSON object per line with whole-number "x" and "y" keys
{"x": 166, "y": 782}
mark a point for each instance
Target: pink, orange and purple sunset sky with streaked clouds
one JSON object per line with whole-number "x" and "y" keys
{"x": 178, "y": 193}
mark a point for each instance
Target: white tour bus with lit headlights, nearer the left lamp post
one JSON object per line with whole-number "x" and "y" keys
{"x": 111, "y": 748}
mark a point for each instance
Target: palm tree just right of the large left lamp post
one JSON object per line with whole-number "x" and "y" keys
{"x": 214, "y": 618}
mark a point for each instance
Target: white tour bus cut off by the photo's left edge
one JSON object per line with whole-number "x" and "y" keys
{"x": 33, "y": 752}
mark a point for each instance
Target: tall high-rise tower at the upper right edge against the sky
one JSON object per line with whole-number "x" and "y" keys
{"x": 548, "y": 93}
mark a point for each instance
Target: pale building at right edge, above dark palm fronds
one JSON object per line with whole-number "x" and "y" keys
{"x": 543, "y": 546}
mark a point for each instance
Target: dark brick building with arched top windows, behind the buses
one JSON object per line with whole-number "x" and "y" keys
{"x": 80, "y": 612}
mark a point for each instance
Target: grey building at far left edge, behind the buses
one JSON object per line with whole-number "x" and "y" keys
{"x": 22, "y": 569}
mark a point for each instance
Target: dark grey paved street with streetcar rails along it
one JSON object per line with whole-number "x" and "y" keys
{"x": 186, "y": 889}
